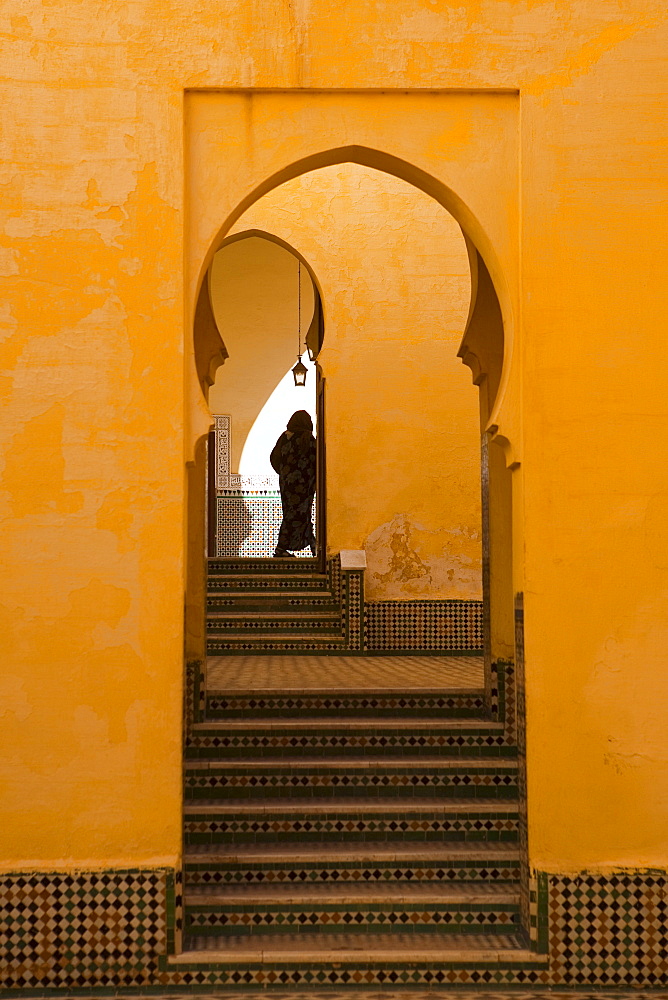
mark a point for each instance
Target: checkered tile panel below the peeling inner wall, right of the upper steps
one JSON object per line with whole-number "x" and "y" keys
{"x": 421, "y": 626}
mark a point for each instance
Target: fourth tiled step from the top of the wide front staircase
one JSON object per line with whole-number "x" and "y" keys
{"x": 265, "y": 821}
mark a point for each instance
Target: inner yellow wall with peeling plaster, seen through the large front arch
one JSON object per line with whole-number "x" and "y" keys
{"x": 402, "y": 427}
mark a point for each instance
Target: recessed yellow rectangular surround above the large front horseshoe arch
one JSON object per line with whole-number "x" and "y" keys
{"x": 459, "y": 148}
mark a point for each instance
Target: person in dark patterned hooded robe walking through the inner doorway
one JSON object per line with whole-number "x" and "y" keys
{"x": 294, "y": 459}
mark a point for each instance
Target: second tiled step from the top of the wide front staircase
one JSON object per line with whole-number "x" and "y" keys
{"x": 349, "y": 737}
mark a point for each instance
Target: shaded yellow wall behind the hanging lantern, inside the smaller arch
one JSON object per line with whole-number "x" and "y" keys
{"x": 254, "y": 298}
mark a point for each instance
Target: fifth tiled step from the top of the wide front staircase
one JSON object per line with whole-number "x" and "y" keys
{"x": 353, "y": 862}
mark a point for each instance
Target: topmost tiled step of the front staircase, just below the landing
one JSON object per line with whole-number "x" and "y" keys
{"x": 325, "y": 703}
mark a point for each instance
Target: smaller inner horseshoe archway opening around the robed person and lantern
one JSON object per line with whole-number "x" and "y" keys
{"x": 267, "y": 309}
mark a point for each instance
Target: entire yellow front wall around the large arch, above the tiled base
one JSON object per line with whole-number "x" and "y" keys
{"x": 561, "y": 188}
